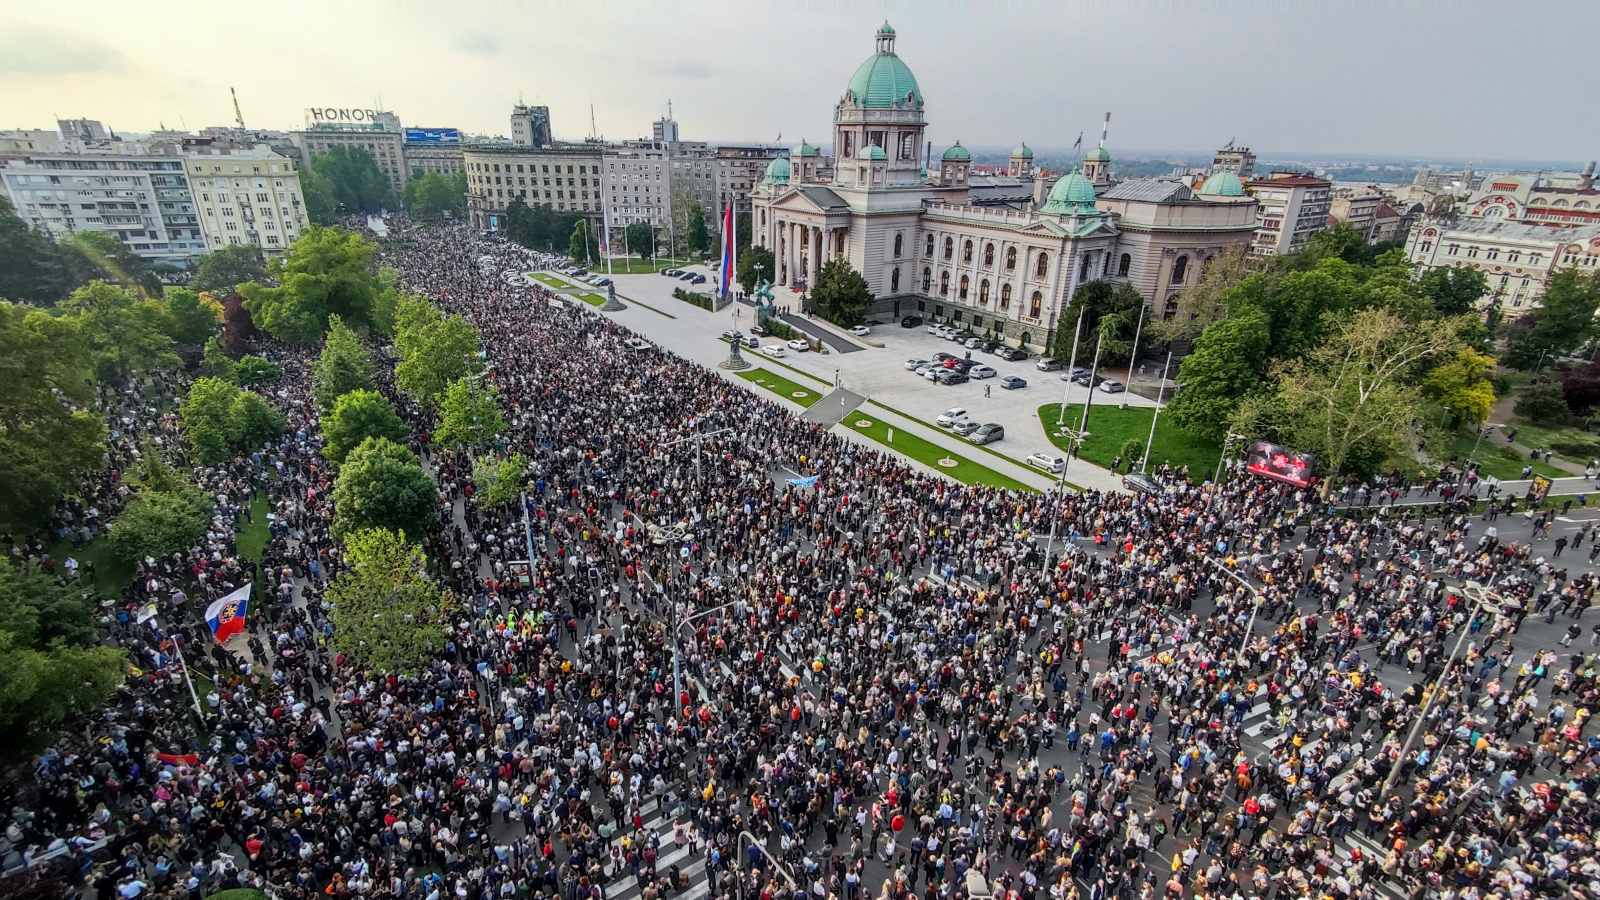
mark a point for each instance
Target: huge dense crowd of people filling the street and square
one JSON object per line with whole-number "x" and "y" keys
{"x": 876, "y": 685}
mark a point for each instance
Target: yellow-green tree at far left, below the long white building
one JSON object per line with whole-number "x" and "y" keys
{"x": 127, "y": 335}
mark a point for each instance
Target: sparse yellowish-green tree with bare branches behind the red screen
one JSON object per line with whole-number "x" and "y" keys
{"x": 1354, "y": 400}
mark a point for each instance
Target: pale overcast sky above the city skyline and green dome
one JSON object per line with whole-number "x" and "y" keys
{"x": 1410, "y": 78}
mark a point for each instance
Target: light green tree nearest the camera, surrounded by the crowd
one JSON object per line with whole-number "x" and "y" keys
{"x": 388, "y": 614}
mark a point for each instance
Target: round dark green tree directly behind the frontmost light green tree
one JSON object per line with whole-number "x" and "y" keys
{"x": 383, "y": 486}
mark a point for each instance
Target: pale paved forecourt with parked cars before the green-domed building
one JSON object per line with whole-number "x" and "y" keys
{"x": 881, "y": 374}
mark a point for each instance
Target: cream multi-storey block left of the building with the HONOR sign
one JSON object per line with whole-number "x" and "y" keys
{"x": 246, "y": 196}
